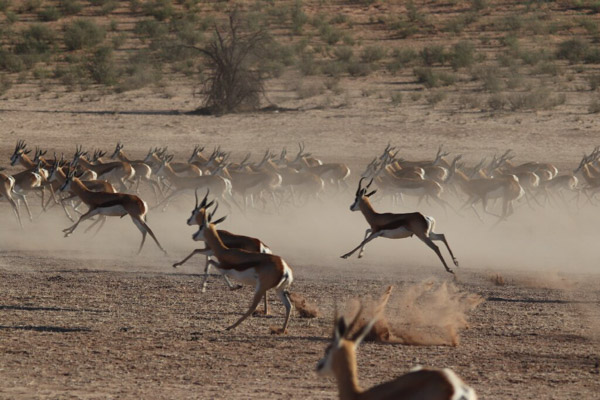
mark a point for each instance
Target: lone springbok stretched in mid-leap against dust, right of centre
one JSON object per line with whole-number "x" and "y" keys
{"x": 396, "y": 226}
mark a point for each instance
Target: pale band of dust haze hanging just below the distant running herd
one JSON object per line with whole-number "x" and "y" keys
{"x": 559, "y": 241}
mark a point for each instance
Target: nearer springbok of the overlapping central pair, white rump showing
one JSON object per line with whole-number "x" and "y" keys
{"x": 266, "y": 271}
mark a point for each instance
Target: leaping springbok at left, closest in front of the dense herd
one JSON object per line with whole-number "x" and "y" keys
{"x": 109, "y": 204}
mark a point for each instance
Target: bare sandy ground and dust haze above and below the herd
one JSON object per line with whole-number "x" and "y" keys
{"x": 83, "y": 317}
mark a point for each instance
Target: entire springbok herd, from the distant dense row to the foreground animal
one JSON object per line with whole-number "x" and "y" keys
{"x": 87, "y": 186}
